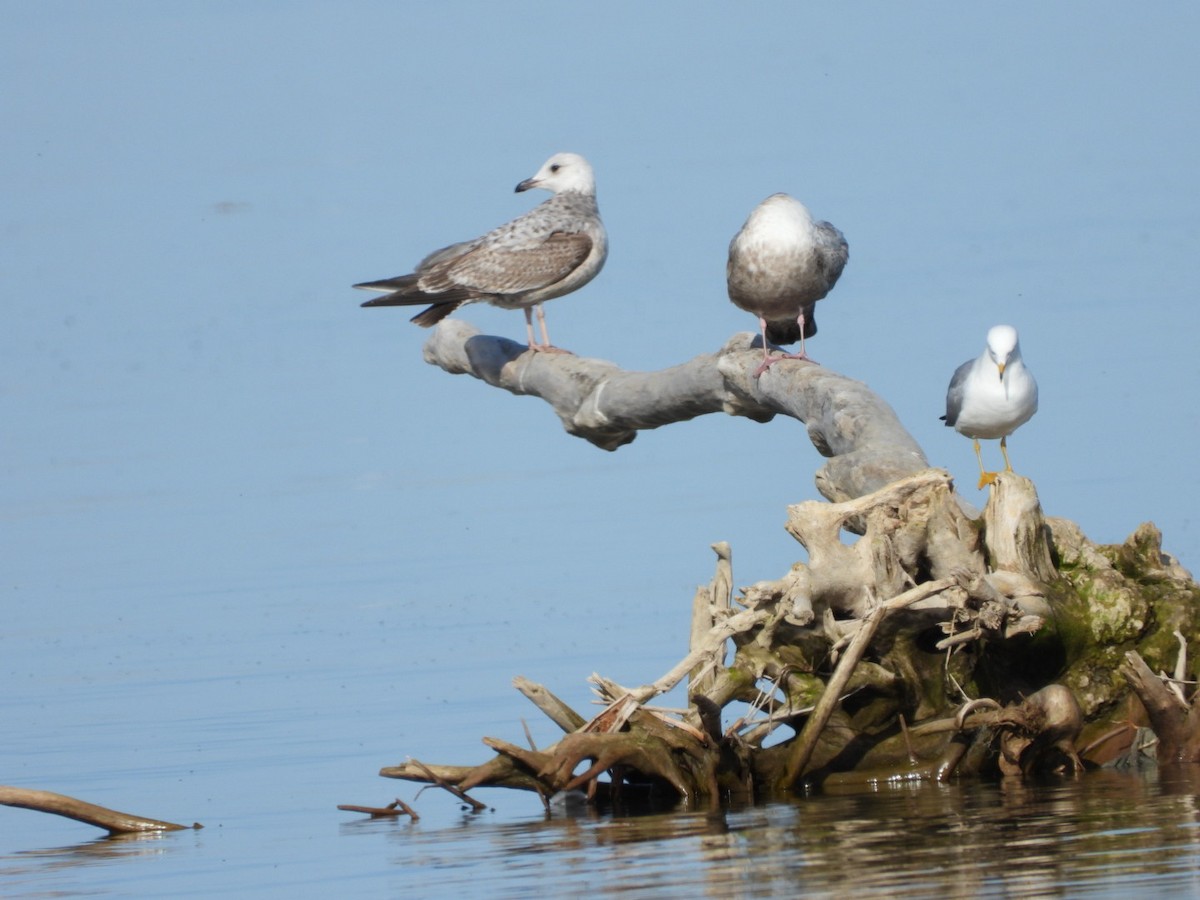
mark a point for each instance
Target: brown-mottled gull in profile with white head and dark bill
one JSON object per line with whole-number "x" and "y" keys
{"x": 553, "y": 250}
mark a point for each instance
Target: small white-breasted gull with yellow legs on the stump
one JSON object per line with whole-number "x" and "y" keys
{"x": 993, "y": 397}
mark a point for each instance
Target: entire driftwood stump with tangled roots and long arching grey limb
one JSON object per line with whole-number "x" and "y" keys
{"x": 933, "y": 645}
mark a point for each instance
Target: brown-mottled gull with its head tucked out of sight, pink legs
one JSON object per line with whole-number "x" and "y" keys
{"x": 781, "y": 265}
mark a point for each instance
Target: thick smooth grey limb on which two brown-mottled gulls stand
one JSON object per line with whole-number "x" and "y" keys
{"x": 608, "y": 406}
